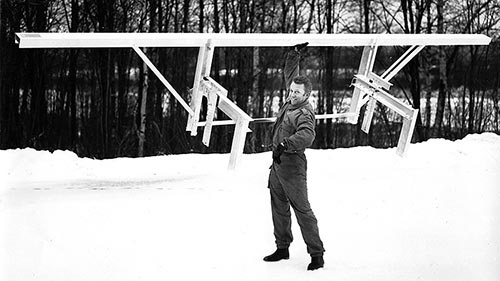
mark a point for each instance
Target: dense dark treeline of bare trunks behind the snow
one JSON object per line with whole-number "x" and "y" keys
{"x": 106, "y": 103}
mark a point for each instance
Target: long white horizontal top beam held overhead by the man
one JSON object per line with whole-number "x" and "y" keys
{"x": 124, "y": 40}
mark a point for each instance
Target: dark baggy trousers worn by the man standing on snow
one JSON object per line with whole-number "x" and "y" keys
{"x": 288, "y": 187}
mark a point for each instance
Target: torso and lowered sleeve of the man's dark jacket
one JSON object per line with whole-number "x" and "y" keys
{"x": 295, "y": 127}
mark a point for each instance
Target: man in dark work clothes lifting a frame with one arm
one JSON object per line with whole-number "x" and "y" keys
{"x": 292, "y": 133}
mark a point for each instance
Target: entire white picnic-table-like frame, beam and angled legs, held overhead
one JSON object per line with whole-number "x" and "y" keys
{"x": 369, "y": 87}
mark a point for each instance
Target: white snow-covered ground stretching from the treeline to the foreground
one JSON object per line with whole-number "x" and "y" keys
{"x": 434, "y": 215}
